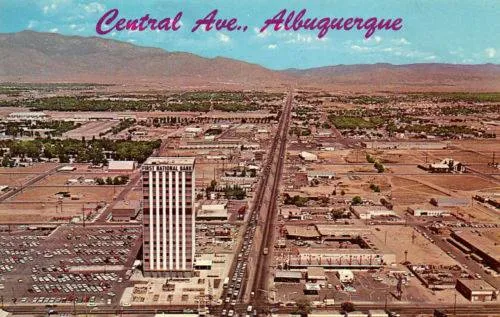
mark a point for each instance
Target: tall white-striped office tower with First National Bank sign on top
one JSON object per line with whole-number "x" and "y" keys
{"x": 168, "y": 216}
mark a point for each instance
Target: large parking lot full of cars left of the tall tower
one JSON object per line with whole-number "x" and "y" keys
{"x": 68, "y": 264}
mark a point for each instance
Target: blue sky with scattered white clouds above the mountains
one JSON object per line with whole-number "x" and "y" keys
{"x": 444, "y": 31}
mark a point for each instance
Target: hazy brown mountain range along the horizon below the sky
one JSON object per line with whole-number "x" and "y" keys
{"x": 46, "y": 57}
